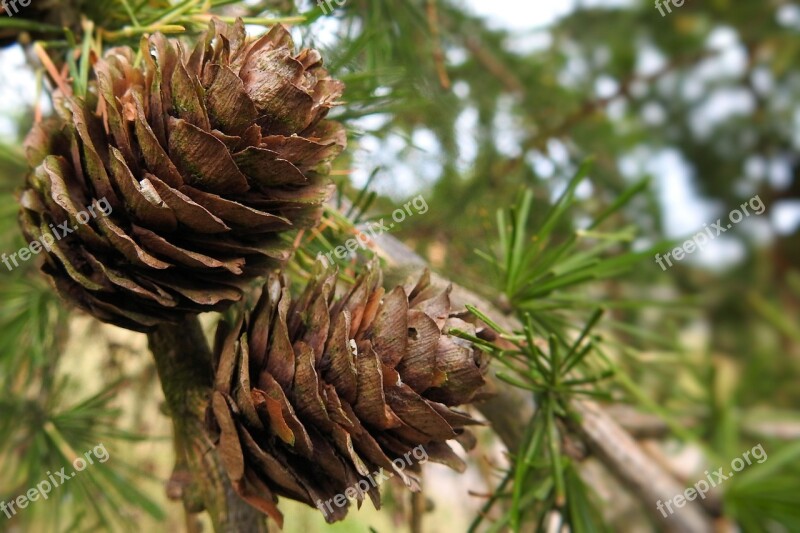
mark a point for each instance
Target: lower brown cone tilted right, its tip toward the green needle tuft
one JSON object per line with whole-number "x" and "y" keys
{"x": 316, "y": 398}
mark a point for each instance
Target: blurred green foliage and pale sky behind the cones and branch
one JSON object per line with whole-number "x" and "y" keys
{"x": 685, "y": 116}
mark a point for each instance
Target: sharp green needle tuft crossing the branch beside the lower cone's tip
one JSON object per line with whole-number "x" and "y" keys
{"x": 543, "y": 479}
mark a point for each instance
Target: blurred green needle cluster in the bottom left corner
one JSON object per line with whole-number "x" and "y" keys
{"x": 55, "y": 434}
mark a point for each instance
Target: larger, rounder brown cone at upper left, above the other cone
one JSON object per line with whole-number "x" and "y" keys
{"x": 205, "y": 159}
